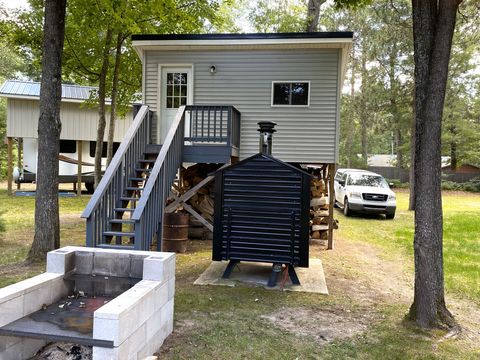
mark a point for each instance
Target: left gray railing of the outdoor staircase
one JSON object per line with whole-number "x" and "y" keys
{"x": 100, "y": 207}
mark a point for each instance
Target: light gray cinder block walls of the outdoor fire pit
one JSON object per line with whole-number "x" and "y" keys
{"x": 138, "y": 321}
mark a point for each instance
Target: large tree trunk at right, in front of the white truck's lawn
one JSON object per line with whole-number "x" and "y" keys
{"x": 433, "y": 27}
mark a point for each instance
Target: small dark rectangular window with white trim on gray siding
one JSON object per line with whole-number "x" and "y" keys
{"x": 294, "y": 93}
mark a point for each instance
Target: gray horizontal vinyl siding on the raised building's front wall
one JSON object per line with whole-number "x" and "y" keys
{"x": 244, "y": 79}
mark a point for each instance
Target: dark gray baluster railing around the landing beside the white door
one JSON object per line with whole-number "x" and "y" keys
{"x": 213, "y": 124}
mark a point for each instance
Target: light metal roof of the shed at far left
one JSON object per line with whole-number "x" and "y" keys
{"x": 31, "y": 90}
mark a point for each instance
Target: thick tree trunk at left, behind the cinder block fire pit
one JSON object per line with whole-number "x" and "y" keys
{"x": 47, "y": 223}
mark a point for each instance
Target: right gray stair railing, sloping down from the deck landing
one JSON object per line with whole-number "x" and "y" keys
{"x": 148, "y": 214}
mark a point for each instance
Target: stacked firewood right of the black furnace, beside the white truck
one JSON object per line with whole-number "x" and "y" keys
{"x": 319, "y": 209}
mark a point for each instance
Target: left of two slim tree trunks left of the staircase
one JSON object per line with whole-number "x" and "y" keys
{"x": 101, "y": 107}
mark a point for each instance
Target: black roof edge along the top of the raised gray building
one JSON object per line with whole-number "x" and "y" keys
{"x": 256, "y": 36}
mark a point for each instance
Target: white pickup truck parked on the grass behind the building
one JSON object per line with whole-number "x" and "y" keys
{"x": 364, "y": 192}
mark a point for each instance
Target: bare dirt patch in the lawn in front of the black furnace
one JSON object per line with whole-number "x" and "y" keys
{"x": 323, "y": 325}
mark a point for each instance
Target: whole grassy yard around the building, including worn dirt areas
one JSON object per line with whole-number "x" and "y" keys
{"x": 369, "y": 275}
